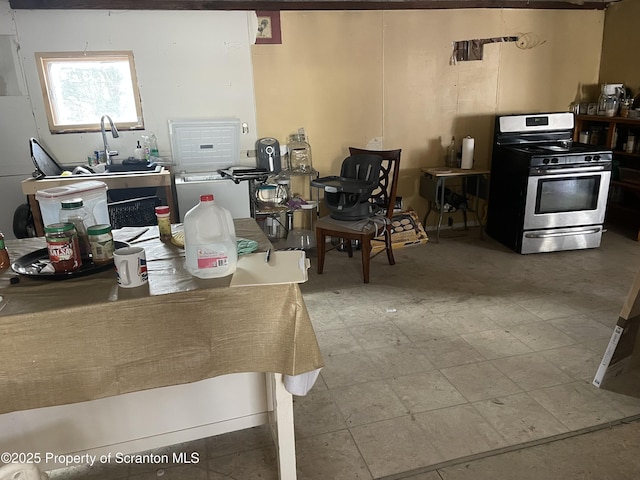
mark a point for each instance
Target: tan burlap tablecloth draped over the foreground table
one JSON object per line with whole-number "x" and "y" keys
{"x": 86, "y": 338}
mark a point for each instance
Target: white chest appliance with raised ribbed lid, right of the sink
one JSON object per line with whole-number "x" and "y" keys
{"x": 200, "y": 148}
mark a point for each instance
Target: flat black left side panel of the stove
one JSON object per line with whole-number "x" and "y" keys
{"x": 507, "y": 196}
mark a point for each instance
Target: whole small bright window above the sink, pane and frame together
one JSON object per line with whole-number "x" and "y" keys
{"x": 80, "y": 87}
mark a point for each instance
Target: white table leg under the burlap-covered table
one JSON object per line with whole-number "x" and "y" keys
{"x": 281, "y": 404}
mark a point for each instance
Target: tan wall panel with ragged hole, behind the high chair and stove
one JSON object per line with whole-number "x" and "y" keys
{"x": 383, "y": 79}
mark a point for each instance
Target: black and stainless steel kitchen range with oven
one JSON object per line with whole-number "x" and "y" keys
{"x": 547, "y": 193}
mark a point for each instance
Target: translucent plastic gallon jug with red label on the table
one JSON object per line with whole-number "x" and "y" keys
{"x": 209, "y": 240}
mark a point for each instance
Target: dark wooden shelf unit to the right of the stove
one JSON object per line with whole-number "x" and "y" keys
{"x": 623, "y": 207}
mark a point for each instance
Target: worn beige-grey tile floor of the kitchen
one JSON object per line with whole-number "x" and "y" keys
{"x": 462, "y": 350}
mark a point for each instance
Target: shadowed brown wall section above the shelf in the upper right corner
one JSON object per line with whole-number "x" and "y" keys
{"x": 620, "y": 50}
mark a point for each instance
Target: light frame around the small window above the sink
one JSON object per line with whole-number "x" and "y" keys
{"x": 45, "y": 60}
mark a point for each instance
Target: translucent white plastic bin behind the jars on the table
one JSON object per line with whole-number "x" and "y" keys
{"x": 92, "y": 192}
